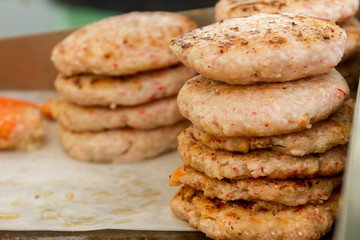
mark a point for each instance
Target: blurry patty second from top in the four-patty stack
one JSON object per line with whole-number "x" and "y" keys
{"x": 89, "y": 90}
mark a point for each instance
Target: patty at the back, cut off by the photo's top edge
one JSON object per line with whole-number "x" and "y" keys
{"x": 334, "y": 10}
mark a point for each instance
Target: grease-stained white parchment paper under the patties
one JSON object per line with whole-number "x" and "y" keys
{"x": 46, "y": 190}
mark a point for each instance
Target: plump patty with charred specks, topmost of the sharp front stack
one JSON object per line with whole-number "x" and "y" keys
{"x": 262, "y": 48}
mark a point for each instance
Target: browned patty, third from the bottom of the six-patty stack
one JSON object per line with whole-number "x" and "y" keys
{"x": 258, "y": 163}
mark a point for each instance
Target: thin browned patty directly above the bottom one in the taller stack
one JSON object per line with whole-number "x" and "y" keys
{"x": 289, "y": 192}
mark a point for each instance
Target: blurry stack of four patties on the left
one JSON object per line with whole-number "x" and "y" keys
{"x": 119, "y": 81}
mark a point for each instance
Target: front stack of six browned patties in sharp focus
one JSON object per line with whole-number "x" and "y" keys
{"x": 265, "y": 154}
